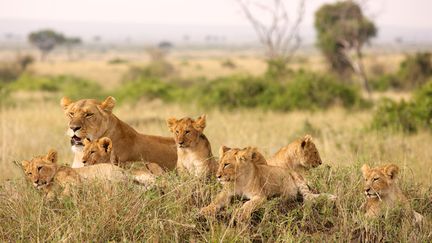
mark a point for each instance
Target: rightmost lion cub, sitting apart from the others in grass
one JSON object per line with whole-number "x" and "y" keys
{"x": 382, "y": 191}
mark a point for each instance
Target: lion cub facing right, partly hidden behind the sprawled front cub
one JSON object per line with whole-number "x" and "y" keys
{"x": 300, "y": 155}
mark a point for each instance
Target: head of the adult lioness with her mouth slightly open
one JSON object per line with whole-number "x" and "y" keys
{"x": 88, "y": 118}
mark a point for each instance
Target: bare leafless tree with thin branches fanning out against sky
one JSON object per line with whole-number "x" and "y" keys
{"x": 276, "y": 31}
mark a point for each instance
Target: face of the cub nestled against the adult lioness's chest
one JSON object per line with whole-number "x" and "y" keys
{"x": 97, "y": 151}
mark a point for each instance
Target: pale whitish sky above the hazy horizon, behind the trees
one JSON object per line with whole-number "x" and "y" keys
{"x": 407, "y": 14}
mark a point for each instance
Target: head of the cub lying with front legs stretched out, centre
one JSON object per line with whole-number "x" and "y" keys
{"x": 235, "y": 162}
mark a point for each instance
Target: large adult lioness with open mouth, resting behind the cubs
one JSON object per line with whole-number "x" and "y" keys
{"x": 89, "y": 118}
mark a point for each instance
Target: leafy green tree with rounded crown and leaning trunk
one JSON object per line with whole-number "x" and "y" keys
{"x": 343, "y": 31}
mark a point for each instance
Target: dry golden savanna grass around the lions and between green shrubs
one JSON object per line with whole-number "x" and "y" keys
{"x": 36, "y": 123}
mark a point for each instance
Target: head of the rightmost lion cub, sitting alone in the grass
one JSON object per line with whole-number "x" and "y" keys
{"x": 378, "y": 180}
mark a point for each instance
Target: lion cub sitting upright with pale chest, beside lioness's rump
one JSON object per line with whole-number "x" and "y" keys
{"x": 193, "y": 148}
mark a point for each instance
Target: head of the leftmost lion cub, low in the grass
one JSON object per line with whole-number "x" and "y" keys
{"x": 40, "y": 170}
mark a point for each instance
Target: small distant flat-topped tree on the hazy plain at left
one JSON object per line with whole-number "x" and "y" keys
{"x": 46, "y": 41}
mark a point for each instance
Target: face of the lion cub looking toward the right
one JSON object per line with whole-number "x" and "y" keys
{"x": 309, "y": 156}
